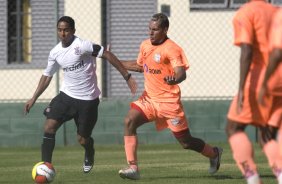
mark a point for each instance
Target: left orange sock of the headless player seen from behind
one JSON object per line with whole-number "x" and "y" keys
{"x": 243, "y": 153}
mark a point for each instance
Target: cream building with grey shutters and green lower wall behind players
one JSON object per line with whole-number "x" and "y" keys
{"x": 203, "y": 28}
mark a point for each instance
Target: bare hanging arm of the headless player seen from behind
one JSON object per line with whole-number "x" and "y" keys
{"x": 245, "y": 63}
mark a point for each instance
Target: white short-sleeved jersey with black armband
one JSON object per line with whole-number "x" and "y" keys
{"x": 79, "y": 68}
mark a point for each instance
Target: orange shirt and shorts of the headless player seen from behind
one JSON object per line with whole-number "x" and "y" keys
{"x": 251, "y": 26}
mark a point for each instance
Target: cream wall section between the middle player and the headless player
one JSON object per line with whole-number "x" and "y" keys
{"x": 207, "y": 38}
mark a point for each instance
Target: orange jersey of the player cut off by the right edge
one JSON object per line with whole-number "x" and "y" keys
{"x": 275, "y": 42}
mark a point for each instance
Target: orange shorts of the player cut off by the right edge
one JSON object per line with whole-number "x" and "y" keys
{"x": 275, "y": 118}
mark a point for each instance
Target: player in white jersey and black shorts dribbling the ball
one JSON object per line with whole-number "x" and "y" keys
{"x": 79, "y": 94}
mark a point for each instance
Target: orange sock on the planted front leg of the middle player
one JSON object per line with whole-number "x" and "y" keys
{"x": 130, "y": 145}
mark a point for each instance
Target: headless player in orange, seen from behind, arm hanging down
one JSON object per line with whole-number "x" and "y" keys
{"x": 251, "y": 27}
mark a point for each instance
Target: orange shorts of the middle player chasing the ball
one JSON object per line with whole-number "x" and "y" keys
{"x": 165, "y": 115}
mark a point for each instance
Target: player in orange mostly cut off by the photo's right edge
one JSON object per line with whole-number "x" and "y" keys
{"x": 272, "y": 83}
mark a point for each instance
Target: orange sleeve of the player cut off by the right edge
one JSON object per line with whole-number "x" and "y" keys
{"x": 275, "y": 38}
